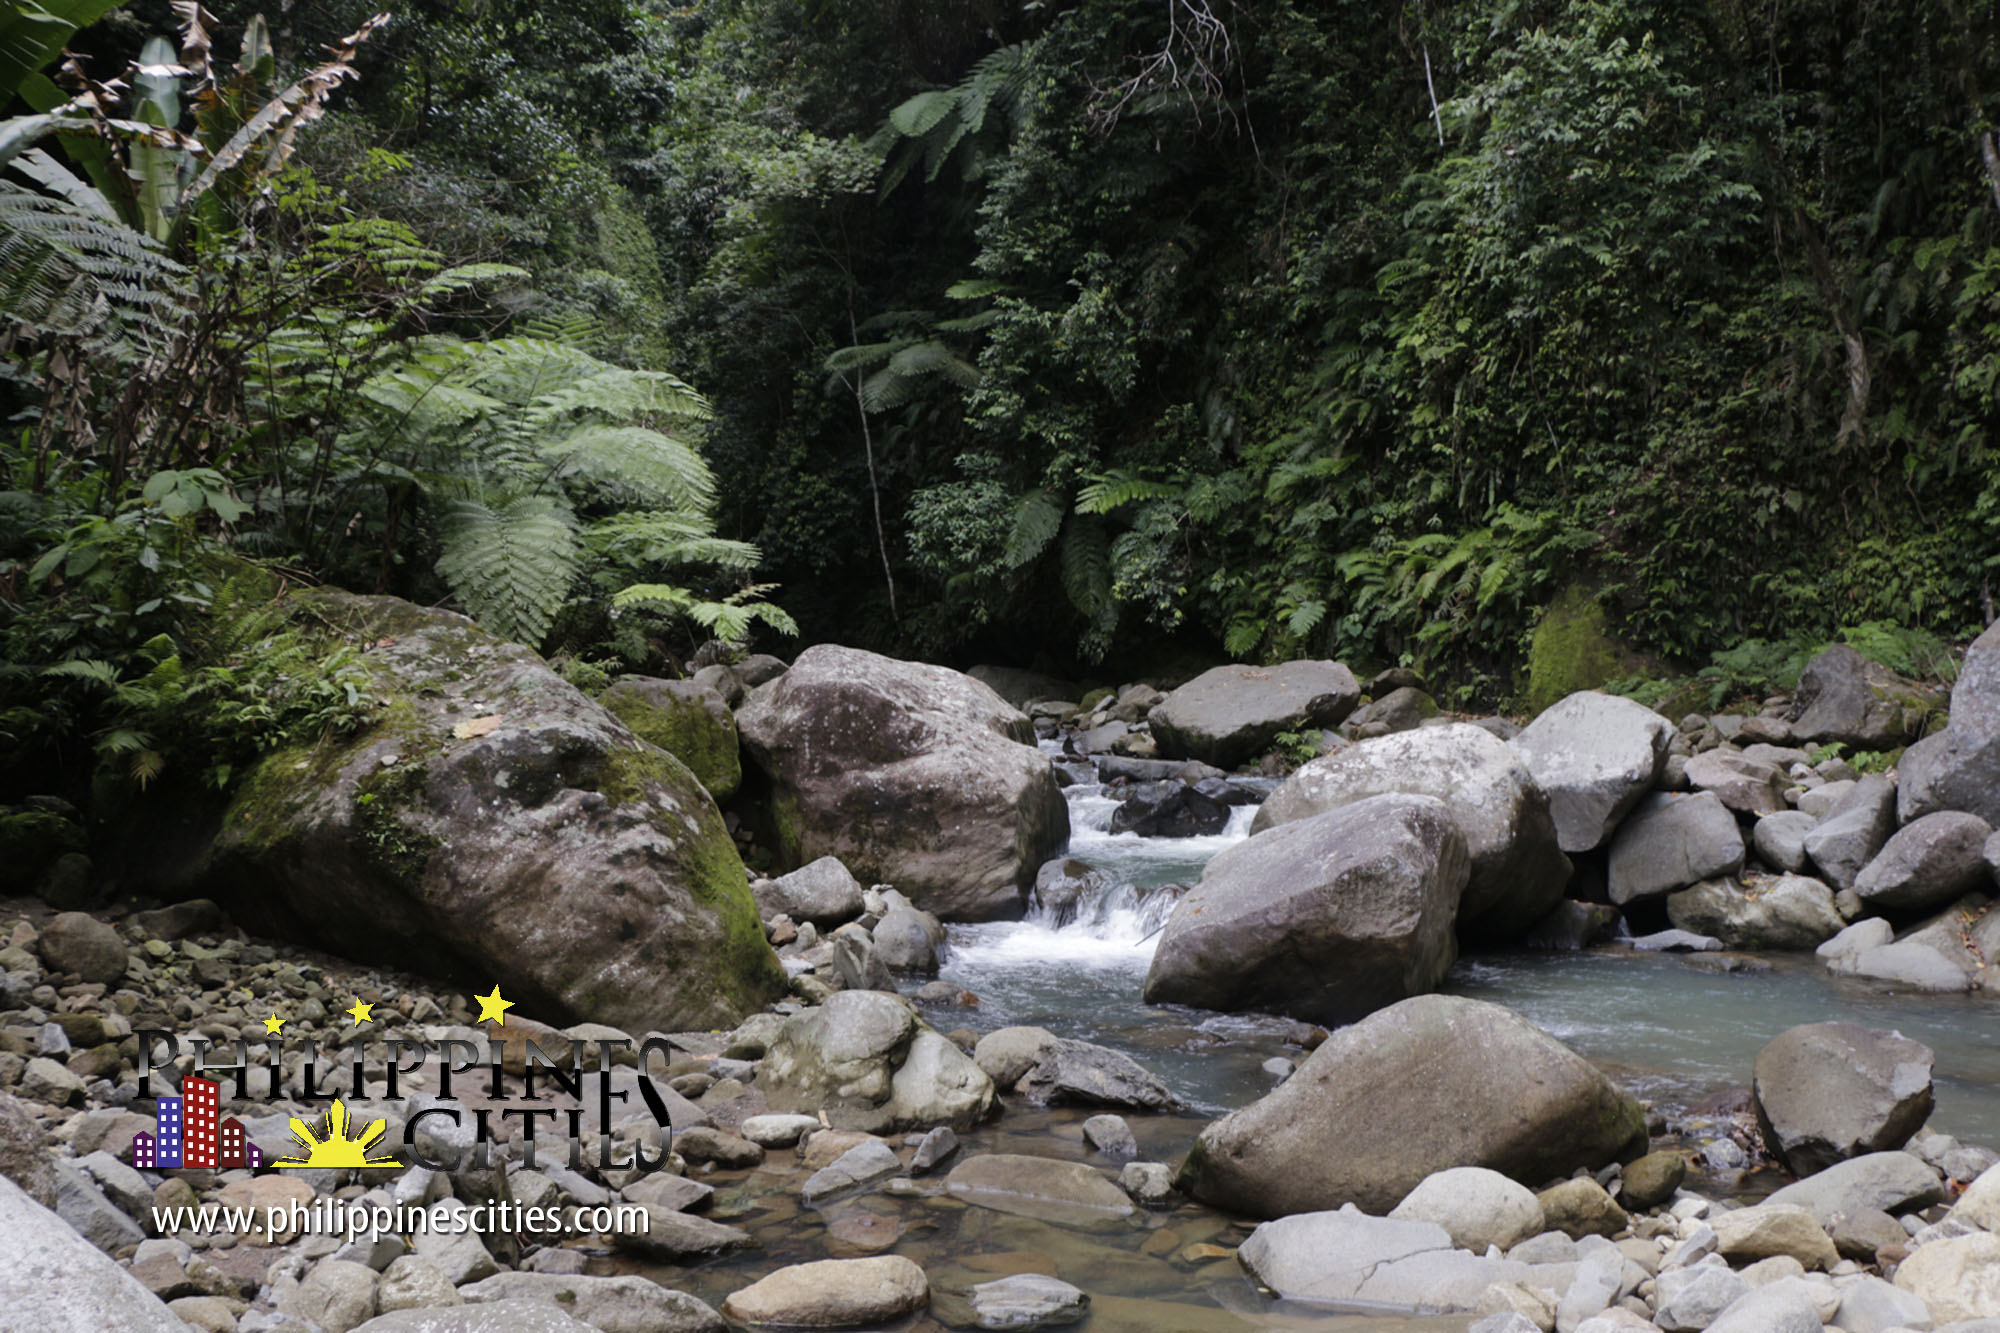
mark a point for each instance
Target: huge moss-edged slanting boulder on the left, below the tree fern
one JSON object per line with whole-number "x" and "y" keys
{"x": 493, "y": 824}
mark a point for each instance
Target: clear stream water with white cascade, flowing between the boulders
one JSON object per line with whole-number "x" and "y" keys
{"x": 1667, "y": 1030}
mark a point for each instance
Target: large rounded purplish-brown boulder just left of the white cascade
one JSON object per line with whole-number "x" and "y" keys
{"x": 913, "y": 776}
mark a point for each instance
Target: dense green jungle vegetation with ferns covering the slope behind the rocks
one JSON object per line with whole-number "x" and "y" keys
{"x": 1049, "y": 333}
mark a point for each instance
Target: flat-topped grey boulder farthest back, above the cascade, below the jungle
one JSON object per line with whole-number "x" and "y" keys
{"x": 1233, "y": 714}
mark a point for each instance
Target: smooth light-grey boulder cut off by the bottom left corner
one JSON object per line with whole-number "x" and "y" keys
{"x": 55, "y": 1282}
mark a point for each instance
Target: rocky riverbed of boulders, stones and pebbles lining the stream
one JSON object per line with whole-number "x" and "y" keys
{"x": 789, "y": 1122}
